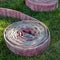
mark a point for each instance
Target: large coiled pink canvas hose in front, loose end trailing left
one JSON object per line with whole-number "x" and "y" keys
{"x": 28, "y": 37}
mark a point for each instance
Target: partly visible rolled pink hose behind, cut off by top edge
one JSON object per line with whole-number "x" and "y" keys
{"x": 42, "y": 5}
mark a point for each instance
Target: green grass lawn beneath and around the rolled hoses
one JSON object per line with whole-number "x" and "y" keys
{"x": 51, "y": 19}
